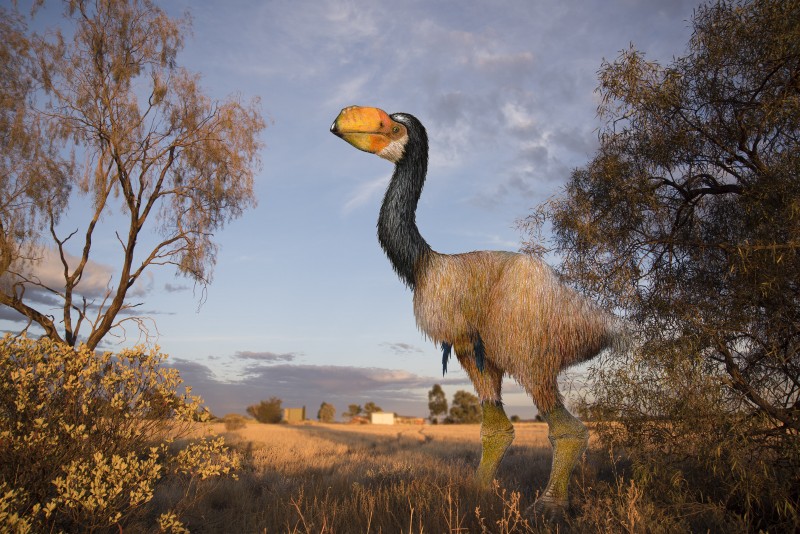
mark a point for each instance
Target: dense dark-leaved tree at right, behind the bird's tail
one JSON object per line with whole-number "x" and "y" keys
{"x": 686, "y": 222}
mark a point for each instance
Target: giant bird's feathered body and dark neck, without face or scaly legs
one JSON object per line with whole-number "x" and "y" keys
{"x": 531, "y": 326}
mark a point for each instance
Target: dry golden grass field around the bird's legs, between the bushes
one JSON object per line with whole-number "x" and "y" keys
{"x": 319, "y": 478}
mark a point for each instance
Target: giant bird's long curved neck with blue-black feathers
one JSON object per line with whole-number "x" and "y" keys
{"x": 397, "y": 225}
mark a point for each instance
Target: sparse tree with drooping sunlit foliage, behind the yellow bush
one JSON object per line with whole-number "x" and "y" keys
{"x": 105, "y": 122}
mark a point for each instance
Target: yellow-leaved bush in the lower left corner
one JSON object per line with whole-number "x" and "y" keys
{"x": 86, "y": 437}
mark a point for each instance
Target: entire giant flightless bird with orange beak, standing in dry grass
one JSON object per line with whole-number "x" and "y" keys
{"x": 500, "y": 312}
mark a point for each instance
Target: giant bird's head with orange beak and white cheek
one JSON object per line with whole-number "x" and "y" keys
{"x": 372, "y": 130}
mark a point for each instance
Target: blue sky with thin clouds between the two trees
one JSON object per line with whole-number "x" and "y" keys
{"x": 304, "y": 305}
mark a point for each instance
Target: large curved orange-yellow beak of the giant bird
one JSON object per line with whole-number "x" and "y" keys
{"x": 367, "y": 129}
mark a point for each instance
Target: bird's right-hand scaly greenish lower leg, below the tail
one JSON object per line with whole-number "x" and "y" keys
{"x": 569, "y": 438}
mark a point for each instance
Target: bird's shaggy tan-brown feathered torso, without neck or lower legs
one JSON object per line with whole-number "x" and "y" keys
{"x": 531, "y": 326}
